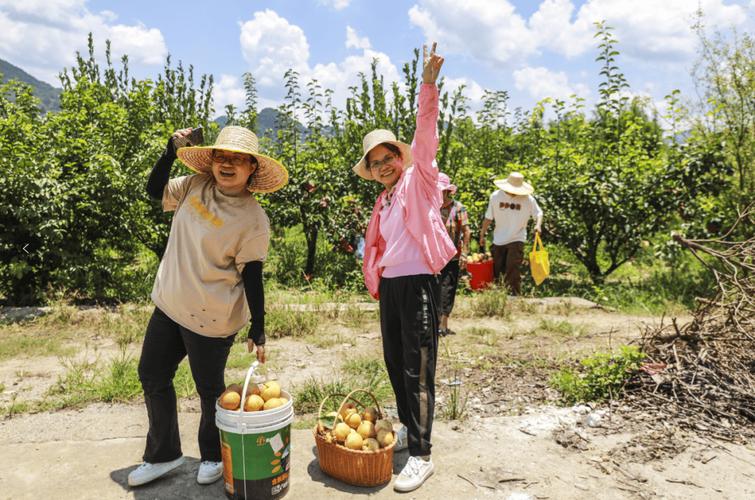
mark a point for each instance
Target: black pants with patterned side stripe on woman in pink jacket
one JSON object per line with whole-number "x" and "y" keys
{"x": 409, "y": 326}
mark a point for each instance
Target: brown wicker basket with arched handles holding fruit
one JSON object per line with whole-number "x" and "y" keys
{"x": 355, "y": 467}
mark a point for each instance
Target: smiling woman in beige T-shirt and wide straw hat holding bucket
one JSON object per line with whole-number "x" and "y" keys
{"x": 208, "y": 281}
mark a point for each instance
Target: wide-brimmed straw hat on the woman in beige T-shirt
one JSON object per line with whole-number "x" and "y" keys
{"x": 270, "y": 175}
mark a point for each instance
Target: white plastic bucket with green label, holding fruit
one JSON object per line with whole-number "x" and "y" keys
{"x": 256, "y": 448}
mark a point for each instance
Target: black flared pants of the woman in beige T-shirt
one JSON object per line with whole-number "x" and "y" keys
{"x": 165, "y": 345}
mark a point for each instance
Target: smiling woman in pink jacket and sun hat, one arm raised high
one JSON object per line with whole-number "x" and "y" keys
{"x": 406, "y": 245}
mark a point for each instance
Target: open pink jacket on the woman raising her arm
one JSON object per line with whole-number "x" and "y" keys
{"x": 417, "y": 192}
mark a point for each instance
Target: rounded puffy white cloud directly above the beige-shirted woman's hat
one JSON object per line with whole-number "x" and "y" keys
{"x": 271, "y": 45}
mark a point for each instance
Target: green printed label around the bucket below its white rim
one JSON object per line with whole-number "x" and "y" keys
{"x": 256, "y": 465}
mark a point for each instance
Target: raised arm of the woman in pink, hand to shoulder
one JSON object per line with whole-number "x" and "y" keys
{"x": 425, "y": 144}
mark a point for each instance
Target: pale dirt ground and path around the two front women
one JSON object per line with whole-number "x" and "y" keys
{"x": 515, "y": 442}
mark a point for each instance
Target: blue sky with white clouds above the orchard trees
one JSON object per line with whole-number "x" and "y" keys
{"x": 532, "y": 49}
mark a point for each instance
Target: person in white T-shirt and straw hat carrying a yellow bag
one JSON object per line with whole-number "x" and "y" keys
{"x": 511, "y": 207}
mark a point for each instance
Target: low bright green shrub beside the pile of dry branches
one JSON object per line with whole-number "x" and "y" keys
{"x": 601, "y": 376}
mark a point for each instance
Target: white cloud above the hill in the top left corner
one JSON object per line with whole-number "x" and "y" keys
{"x": 43, "y": 36}
